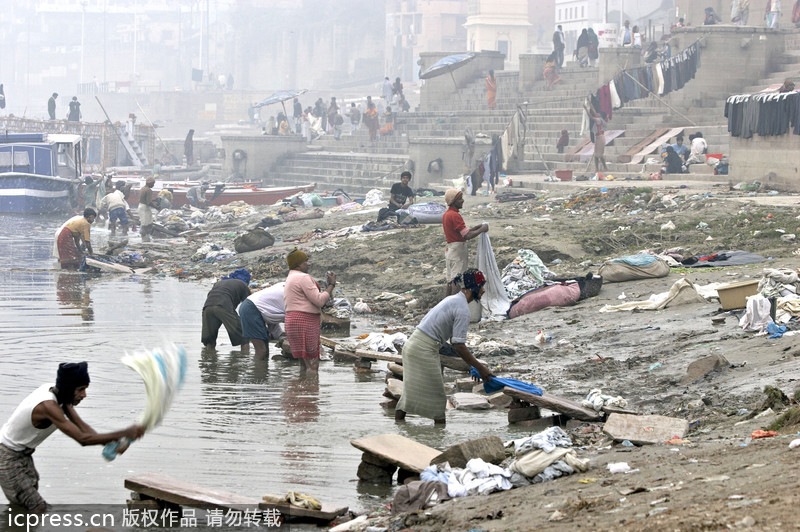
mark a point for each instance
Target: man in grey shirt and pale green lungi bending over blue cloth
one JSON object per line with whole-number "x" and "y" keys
{"x": 423, "y": 388}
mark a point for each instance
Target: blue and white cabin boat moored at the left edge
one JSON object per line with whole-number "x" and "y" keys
{"x": 39, "y": 172}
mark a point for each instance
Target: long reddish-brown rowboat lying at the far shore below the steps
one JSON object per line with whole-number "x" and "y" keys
{"x": 222, "y": 194}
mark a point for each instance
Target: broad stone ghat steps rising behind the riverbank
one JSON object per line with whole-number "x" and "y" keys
{"x": 355, "y": 164}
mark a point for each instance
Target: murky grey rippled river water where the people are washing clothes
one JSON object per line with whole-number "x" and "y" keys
{"x": 238, "y": 425}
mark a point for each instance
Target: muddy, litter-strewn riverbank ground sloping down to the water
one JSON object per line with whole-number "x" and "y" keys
{"x": 718, "y": 478}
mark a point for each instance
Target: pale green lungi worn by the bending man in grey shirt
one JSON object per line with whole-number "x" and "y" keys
{"x": 423, "y": 387}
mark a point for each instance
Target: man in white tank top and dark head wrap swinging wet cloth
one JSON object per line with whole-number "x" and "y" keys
{"x": 46, "y": 409}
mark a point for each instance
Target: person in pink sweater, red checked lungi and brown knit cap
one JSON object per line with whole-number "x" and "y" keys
{"x": 303, "y": 301}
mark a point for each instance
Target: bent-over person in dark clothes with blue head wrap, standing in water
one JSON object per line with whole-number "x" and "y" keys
{"x": 220, "y": 309}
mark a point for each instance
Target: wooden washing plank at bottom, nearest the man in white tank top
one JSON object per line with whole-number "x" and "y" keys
{"x": 183, "y": 493}
